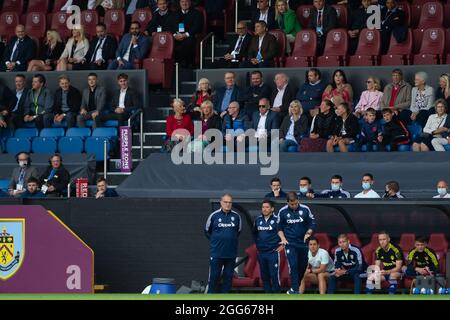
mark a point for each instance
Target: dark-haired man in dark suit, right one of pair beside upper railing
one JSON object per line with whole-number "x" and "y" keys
{"x": 263, "y": 48}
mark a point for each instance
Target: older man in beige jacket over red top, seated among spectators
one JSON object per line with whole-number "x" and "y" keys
{"x": 396, "y": 95}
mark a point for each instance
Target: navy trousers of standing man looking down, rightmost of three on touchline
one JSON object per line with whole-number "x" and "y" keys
{"x": 298, "y": 261}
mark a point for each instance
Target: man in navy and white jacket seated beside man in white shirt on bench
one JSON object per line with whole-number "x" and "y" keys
{"x": 348, "y": 263}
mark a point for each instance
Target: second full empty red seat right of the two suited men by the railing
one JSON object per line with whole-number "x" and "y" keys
{"x": 335, "y": 49}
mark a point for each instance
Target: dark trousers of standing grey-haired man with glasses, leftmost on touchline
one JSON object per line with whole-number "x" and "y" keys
{"x": 215, "y": 270}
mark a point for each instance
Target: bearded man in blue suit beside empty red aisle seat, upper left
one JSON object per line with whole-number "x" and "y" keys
{"x": 134, "y": 45}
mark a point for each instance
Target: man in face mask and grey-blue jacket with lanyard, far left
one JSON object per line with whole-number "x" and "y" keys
{"x": 20, "y": 175}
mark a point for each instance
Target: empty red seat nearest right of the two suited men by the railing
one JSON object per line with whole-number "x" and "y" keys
{"x": 304, "y": 52}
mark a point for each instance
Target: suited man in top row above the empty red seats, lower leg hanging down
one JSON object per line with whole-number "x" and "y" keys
{"x": 323, "y": 18}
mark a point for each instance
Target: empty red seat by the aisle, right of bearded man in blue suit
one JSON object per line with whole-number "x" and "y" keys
{"x": 160, "y": 64}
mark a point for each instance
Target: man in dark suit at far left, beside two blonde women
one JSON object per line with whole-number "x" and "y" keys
{"x": 20, "y": 50}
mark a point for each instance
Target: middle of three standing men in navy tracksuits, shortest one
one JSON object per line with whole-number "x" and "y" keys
{"x": 265, "y": 232}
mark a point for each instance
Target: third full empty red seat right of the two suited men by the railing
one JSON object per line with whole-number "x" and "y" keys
{"x": 368, "y": 50}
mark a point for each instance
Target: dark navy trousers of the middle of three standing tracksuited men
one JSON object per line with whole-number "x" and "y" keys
{"x": 269, "y": 266}
